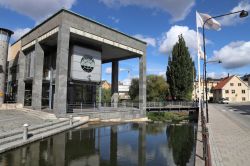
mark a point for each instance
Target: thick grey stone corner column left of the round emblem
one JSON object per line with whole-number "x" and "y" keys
{"x": 60, "y": 101}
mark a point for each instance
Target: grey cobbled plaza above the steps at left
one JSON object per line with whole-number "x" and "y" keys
{"x": 14, "y": 119}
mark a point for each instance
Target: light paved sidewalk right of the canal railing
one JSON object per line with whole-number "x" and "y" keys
{"x": 229, "y": 132}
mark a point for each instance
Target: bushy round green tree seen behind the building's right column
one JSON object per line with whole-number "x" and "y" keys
{"x": 157, "y": 88}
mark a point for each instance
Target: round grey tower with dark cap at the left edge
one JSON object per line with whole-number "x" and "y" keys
{"x": 4, "y": 45}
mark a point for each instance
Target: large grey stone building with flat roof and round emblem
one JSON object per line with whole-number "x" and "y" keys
{"x": 58, "y": 63}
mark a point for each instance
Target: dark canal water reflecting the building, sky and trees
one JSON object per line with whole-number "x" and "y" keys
{"x": 117, "y": 145}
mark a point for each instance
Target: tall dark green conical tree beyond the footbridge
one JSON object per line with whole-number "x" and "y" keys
{"x": 180, "y": 72}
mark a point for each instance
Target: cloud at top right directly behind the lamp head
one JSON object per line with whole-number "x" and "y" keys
{"x": 234, "y": 18}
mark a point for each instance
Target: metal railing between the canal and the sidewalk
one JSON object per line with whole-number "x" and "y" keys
{"x": 205, "y": 140}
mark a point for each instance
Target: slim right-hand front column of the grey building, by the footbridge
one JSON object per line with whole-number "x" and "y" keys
{"x": 142, "y": 84}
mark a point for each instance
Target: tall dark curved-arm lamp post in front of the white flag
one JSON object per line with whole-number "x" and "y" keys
{"x": 243, "y": 13}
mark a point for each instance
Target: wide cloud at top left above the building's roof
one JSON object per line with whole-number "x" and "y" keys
{"x": 36, "y": 10}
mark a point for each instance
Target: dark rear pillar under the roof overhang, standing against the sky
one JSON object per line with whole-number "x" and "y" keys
{"x": 114, "y": 85}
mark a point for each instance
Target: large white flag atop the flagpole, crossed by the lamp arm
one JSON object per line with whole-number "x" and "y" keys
{"x": 210, "y": 24}
